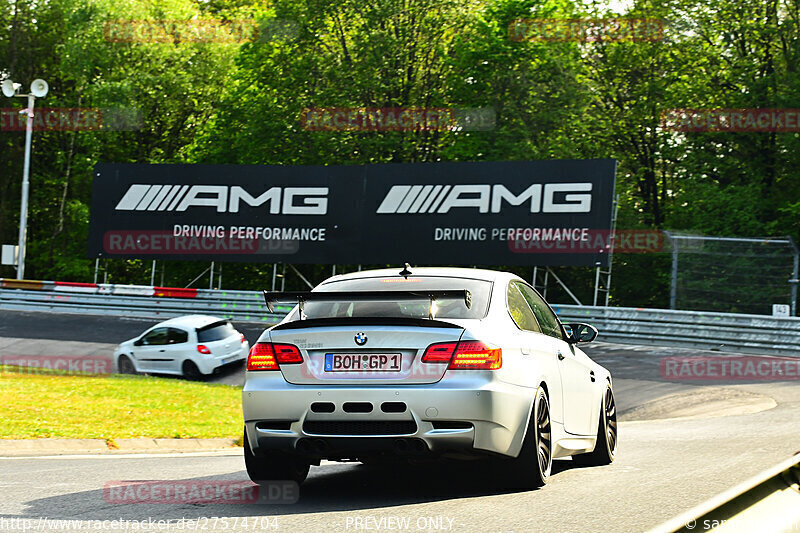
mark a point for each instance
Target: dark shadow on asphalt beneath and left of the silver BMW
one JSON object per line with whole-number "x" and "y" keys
{"x": 330, "y": 488}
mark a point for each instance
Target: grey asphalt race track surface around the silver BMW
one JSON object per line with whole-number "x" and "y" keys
{"x": 680, "y": 444}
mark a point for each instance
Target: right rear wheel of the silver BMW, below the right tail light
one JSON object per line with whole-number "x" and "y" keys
{"x": 531, "y": 468}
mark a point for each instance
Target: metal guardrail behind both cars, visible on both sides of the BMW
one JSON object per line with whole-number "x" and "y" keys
{"x": 694, "y": 329}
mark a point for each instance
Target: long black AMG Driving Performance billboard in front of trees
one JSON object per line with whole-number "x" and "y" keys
{"x": 446, "y": 213}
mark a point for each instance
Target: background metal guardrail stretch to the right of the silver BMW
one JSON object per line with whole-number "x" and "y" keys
{"x": 727, "y": 332}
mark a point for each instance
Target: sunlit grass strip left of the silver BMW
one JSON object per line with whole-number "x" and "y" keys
{"x": 50, "y": 405}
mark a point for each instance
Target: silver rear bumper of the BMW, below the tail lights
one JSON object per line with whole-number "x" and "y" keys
{"x": 466, "y": 412}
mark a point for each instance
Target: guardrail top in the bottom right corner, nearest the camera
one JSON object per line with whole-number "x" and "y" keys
{"x": 769, "y": 501}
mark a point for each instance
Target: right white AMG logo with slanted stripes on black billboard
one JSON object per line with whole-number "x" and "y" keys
{"x": 577, "y": 198}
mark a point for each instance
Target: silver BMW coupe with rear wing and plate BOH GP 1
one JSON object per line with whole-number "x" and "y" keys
{"x": 424, "y": 363}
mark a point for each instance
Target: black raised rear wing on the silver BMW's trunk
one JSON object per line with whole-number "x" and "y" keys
{"x": 300, "y": 298}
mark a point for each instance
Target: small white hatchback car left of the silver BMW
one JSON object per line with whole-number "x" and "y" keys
{"x": 192, "y": 346}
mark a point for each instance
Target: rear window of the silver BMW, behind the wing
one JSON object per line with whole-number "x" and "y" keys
{"x": 445, "y": 308}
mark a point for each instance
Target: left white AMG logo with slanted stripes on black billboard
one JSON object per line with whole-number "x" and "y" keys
{"x": 282, "y": 200}
